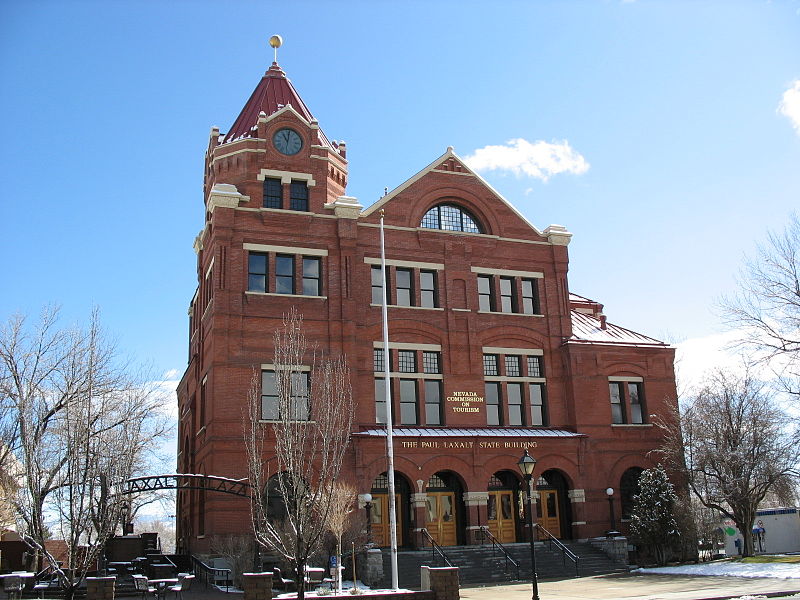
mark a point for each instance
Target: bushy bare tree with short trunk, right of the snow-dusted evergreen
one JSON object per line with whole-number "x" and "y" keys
{"x": 733, "y": 444}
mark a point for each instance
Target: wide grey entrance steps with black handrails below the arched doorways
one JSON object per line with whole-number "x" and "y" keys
{"x": 480, "y": 565}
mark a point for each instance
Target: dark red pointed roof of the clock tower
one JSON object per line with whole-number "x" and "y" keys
{"x": 273, "y": 93}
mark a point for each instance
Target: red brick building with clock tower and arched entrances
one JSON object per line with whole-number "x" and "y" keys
{"x": 490, "y": 352}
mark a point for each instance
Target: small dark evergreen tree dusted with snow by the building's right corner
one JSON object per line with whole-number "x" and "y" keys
{"x": 653, "y": 522}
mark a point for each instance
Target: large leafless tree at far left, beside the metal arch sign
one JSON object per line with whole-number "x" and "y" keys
{"x": 79, "y": 421}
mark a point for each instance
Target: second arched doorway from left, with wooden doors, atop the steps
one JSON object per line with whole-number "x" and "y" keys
{"x": 444, "y": 509}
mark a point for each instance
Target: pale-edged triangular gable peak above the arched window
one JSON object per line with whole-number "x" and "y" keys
{"x": 452, "y": 164}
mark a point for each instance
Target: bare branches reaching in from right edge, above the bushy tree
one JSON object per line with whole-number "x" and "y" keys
{"x": 767, "y": 305}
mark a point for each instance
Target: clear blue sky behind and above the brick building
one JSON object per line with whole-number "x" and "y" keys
{"x": 674, "y": 107}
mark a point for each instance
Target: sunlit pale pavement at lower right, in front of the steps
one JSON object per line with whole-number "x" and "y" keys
{"x": 635, "y": 586}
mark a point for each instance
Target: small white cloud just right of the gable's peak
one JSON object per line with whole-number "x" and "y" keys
{"x": 537, "y": 159}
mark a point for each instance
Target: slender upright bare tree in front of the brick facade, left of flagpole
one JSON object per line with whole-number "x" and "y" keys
{"x": 298, "y": 456}
